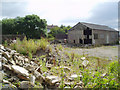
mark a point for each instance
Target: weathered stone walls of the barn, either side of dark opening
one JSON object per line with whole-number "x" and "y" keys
{"x": 104, "y": 37}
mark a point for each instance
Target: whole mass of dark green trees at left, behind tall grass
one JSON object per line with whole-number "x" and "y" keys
{"x": 31, "y": 26}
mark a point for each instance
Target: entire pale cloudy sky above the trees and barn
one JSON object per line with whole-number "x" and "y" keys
{"x": 64, "y": 12}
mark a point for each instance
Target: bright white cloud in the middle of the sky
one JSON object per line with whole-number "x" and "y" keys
{"x": 56, "y": 11}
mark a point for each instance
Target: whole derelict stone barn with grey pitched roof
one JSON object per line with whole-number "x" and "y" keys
{"x": 87, "y": 33}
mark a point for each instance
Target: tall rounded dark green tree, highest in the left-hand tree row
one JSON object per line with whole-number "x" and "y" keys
{"x": 33, "y": 24}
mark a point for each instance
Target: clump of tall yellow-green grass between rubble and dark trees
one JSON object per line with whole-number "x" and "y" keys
{"x": 28, "y": 47}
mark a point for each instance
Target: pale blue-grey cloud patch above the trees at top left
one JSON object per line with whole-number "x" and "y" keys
{"x": 13, "y": 9}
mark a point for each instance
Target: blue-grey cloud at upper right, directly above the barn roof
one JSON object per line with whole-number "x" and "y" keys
{"x": 105, "y": 13}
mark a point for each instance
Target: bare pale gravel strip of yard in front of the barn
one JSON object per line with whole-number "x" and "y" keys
{"x": 108, "y": 52}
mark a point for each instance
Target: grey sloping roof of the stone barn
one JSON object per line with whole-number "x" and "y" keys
{"x": 99, "y": 27}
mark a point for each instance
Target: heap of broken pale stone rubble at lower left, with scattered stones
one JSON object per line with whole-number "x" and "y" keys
{"x": 21, "y": 72}
